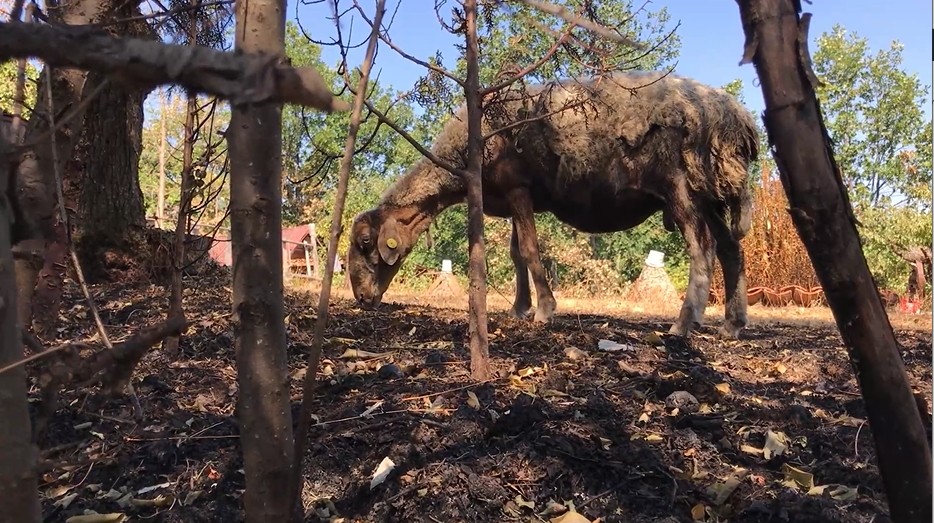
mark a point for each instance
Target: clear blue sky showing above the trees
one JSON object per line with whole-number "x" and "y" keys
{"x": 711, "y": 36}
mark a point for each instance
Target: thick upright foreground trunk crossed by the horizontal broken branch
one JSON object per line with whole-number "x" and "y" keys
{"x": 254, "y": 147}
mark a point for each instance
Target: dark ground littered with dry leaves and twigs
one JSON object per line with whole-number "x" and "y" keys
{"x": 642, "y": 434}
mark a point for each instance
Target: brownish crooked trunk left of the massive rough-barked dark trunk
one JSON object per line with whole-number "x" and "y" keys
{"x": 40, "y": 258}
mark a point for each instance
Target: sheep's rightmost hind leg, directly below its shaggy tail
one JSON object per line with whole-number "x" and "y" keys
{"x": 733, "y": 262}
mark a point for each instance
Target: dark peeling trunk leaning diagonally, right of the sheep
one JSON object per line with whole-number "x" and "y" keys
{"x": 776, "y": 42}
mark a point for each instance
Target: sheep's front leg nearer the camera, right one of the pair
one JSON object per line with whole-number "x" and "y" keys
{"x": 526, "y": 237}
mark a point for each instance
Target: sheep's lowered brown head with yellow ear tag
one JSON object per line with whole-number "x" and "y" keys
{"x": 378, "y": 244}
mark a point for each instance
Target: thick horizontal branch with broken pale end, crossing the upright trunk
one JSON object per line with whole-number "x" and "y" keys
{"x": 239, "y": 77}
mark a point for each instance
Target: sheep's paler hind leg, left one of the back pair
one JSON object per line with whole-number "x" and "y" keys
{"x": 700, "y": 244}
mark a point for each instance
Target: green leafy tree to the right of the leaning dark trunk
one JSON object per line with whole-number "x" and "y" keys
{"x": 882, "y": 143}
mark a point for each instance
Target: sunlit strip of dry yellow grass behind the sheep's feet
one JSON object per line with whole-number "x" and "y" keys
{"x": 611, "y": 306}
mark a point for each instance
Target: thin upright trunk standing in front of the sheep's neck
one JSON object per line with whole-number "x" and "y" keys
{"x": 479, "y": 338}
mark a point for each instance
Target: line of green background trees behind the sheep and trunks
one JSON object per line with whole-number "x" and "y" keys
{"x": 872, "y": 105}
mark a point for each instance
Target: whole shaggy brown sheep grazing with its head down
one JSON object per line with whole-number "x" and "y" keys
{"x": 630, "y": 145}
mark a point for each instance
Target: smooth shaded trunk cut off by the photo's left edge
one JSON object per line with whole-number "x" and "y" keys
{"x": 19, "y": 487}
